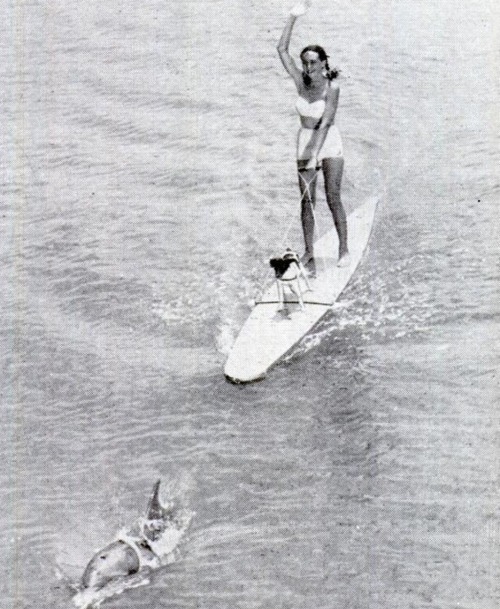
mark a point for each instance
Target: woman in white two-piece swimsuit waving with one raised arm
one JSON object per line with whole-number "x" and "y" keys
{"x": 319, "y": 145}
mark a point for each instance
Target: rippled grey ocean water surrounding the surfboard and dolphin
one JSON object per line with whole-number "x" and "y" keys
{"x": 147, "y": 174}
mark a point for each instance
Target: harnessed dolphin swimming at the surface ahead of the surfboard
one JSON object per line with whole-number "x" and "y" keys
{"x": 135, "y": 548}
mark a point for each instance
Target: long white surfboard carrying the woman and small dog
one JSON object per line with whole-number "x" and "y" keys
{"x": 268, "y": 334}
